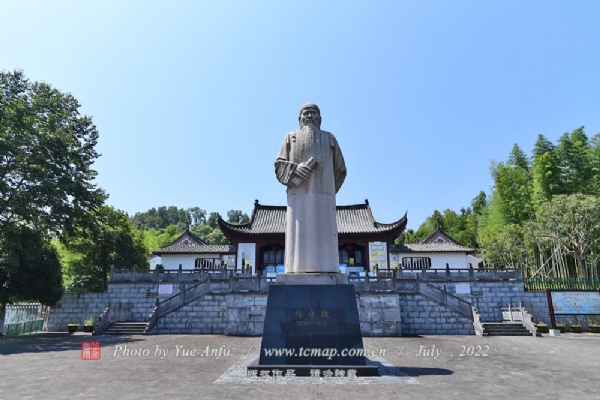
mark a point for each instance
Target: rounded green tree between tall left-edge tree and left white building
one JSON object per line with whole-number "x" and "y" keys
{"x": 112, "y": 241}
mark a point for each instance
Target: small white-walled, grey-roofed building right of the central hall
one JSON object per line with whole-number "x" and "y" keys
{"x": 435, "y": 251}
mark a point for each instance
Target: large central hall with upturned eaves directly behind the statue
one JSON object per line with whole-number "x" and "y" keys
{"x": 363, "y": 243}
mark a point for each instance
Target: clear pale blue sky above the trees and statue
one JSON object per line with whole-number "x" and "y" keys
{"x": 192, "y": 99}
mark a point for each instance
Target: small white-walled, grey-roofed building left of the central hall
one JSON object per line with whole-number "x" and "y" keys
{"x": 189, "y": 251}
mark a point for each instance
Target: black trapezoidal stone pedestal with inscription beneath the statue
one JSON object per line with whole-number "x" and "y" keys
{"x": 310, "y": 327}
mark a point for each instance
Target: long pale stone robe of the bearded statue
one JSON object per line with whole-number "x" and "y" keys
{"x": 311, "y": 240}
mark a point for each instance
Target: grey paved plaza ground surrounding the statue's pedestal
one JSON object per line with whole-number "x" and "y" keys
{"x": 49, "y": 366}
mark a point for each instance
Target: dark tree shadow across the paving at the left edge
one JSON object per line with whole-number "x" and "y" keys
{"x": 55, "y": 341}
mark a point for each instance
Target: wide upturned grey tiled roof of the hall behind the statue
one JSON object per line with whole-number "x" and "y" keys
{"x": 356, "y": 218}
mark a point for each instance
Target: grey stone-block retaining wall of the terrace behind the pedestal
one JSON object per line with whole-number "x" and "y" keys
{"x": 243, "y": 314}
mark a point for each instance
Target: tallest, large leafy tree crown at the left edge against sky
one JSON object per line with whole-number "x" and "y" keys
{"x": 46, "y": 155}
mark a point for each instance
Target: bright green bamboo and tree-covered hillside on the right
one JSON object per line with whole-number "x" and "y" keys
{"x": 543, "y": 212}
